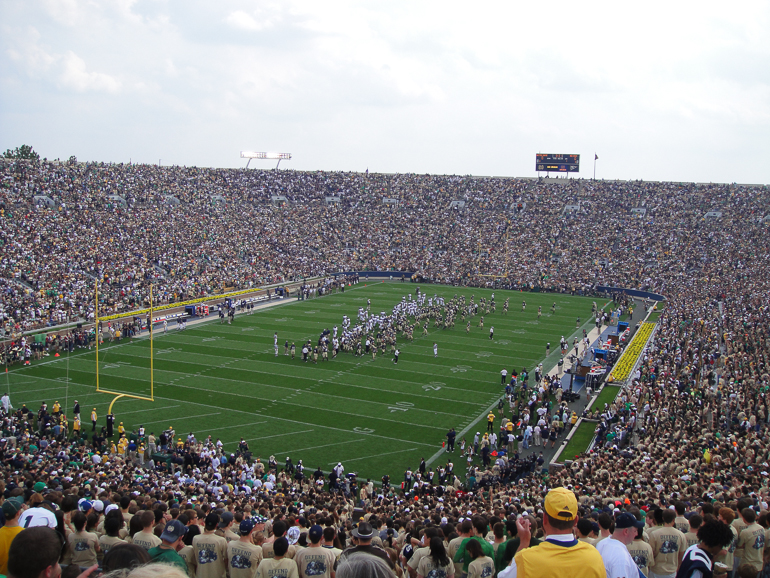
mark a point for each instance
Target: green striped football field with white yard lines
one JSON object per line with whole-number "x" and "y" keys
{"x": 374, "y": 416}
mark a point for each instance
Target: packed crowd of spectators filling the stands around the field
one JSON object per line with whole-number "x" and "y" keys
{"x": 697, "y": 410}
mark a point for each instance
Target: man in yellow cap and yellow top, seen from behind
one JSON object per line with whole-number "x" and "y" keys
{"x": 560, "y": 554}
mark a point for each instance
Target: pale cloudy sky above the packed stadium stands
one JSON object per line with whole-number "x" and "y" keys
{"x": 659, "y": 90}
